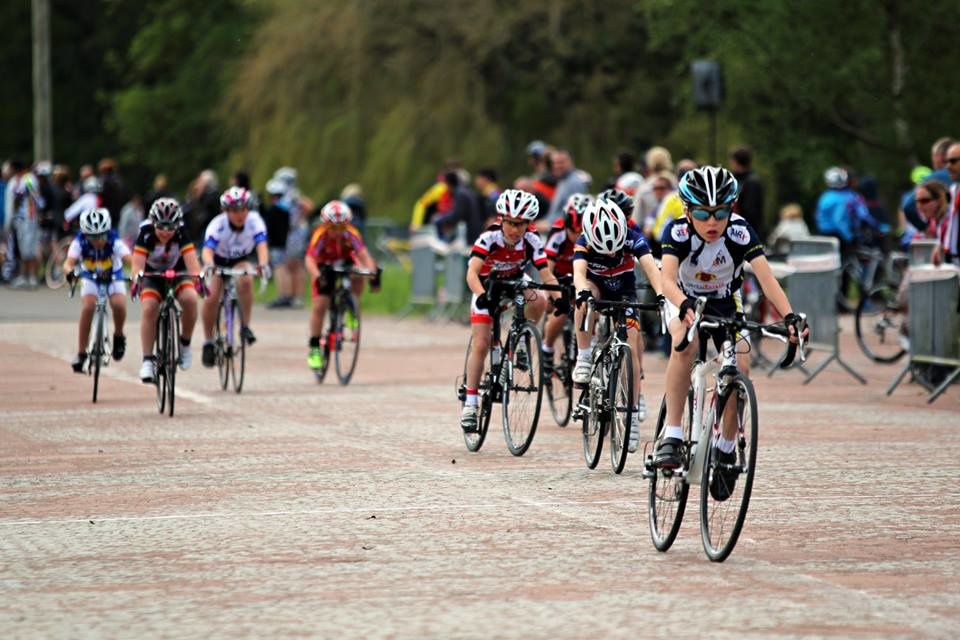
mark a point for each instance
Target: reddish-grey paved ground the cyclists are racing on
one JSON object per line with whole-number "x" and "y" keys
{"x": 303, "y": 510}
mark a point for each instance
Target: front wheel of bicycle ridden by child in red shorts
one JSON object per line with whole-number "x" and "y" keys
{"x": 522, "y": 388}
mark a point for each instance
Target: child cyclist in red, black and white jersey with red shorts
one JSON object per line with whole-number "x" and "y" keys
{"x": 503, "y": 251}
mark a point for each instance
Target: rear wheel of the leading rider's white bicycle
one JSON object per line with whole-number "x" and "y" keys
{"x": 668, "y": 490}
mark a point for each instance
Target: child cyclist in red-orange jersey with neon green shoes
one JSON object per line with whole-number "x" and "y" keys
{"x": 333, "y": 243}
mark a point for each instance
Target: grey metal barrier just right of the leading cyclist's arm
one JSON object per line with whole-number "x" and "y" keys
{"x": 813, "y": 289}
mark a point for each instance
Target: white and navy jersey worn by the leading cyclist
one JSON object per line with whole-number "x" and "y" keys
{"x": 713, "y": 270}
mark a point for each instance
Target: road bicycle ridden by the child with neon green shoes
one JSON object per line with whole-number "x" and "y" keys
{"x": 341, "y": 336}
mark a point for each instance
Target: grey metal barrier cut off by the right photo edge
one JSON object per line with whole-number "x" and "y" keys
{"x": 933, "y": 297}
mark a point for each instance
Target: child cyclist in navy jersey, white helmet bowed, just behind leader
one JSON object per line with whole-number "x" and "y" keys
{"x": 603, "y": 262}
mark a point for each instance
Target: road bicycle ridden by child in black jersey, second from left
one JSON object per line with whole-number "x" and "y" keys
{"x": 167, "y": 338}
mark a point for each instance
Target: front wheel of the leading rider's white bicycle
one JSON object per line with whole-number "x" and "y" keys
{"x": 723, "y": 505}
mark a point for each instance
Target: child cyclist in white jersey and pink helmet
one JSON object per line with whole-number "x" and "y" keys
{"x": 235, "y": 238}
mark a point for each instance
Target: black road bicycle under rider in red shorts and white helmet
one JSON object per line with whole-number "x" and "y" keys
{"x": 513, "y": 378}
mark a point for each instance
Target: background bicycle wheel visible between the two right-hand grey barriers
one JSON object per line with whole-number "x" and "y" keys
{"x": 878, "y": 322}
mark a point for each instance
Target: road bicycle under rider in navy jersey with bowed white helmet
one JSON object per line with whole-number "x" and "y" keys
{"x": 606, "y": 403}
